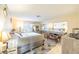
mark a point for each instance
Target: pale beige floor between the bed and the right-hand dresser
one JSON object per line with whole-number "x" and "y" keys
{"x": 55, "y": 48}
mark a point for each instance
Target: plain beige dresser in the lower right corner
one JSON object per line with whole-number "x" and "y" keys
{"x": 70, "y": 45}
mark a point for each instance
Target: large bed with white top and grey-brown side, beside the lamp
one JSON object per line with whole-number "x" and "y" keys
{"x": 27, "y": 42}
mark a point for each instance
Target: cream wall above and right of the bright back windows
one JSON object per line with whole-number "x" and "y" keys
{"x": 72, "y": 19}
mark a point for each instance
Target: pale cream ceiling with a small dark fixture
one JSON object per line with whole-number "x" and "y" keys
{"x": 41, "y": 12}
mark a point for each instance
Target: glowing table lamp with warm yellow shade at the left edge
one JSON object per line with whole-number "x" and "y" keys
{"x": 4, "y": 37}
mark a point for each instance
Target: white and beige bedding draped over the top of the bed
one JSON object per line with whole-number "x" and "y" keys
{"x": 30, "y": 38}
